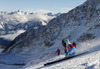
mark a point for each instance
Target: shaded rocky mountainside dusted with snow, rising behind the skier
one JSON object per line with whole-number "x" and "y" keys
{"x": 86, "y": 15}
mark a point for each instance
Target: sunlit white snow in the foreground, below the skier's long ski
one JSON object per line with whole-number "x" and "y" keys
{"x": 82, "y": 62}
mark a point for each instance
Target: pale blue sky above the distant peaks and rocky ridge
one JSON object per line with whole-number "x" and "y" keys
{"x": 34, "y": 5}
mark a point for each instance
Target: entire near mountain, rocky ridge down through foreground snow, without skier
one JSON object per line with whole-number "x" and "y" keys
{"x": 38, "y": 46}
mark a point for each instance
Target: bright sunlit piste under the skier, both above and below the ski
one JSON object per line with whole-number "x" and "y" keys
{"x": 89, "y": 60}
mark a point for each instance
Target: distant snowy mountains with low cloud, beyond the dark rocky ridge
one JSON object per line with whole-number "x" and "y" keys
{"x": 17, "y": 22}
